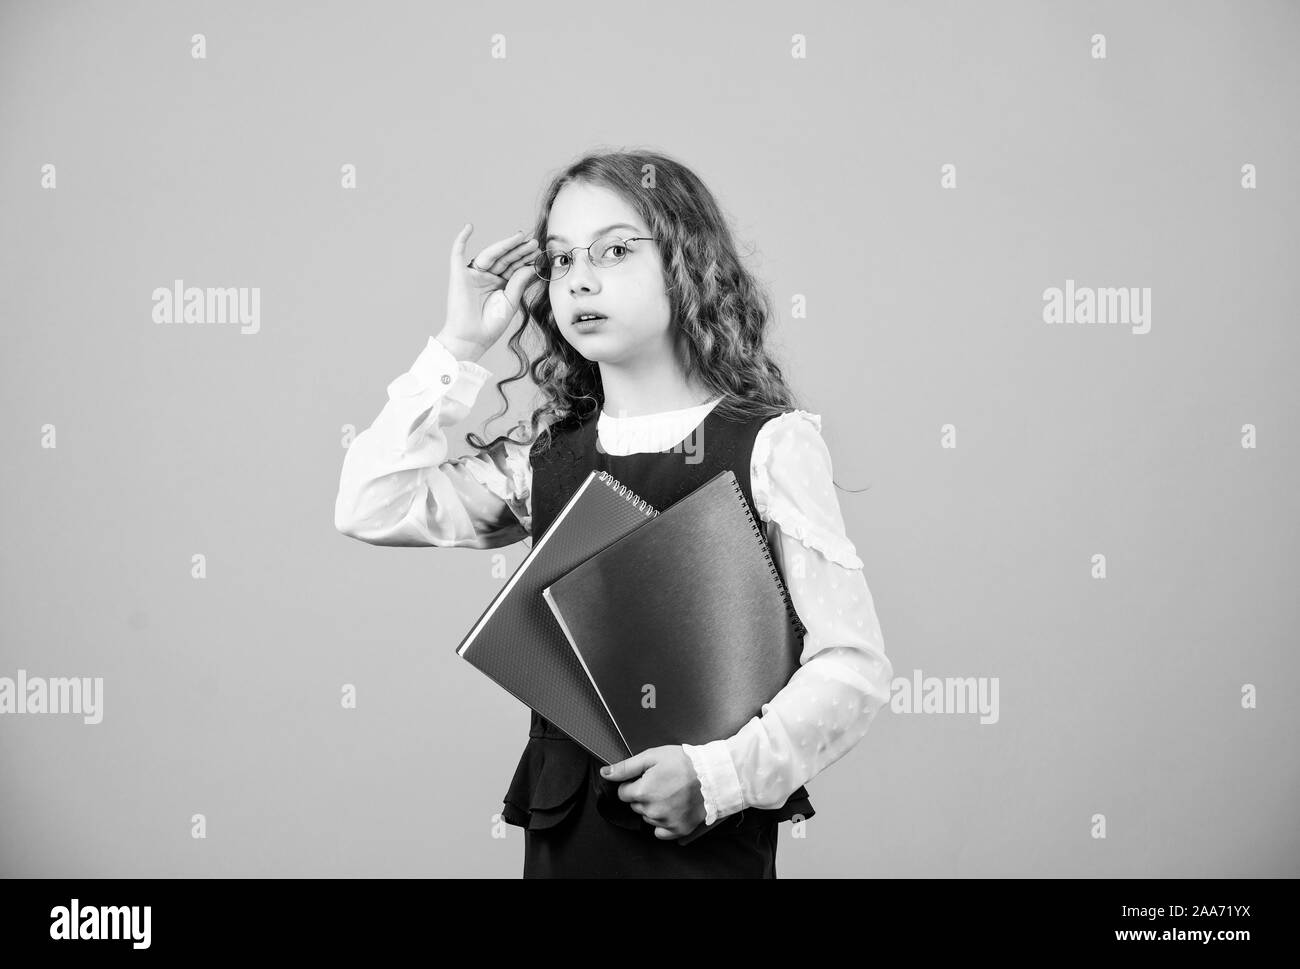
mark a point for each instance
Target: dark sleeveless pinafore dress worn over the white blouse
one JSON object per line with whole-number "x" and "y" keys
{"x": 575, "y": 827}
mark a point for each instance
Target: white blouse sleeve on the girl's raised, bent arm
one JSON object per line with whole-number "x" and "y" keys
{"x": 400, "y": 488}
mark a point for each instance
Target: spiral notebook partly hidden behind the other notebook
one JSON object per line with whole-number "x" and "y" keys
{"x": 518, "y": 643}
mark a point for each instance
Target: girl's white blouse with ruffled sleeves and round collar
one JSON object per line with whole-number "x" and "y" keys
{"x": 400, "y": 488}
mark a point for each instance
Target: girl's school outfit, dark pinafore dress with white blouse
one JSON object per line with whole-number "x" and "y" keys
{"x": 398, "y": 487}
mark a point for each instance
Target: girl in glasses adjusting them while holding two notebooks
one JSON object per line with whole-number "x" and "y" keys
{"x": 652, "y": 366}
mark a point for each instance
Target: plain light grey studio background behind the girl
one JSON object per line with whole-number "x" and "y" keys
{"x": 1119, "y": 697}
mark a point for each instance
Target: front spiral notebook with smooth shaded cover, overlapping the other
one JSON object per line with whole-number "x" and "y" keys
{"x": 683, "y": 626}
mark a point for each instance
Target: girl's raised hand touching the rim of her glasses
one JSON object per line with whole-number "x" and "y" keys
{"x": 484, "y": 301}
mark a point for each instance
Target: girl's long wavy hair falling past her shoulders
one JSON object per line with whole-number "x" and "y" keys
{"x": 718, "y": 309}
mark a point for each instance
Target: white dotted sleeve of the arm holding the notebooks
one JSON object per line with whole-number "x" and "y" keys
{"x": 844, "y": 674}
